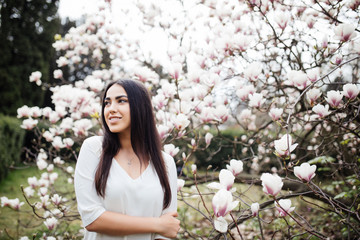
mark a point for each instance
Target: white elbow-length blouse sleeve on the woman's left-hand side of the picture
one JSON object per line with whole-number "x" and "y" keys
{"x": 89, "y": 204}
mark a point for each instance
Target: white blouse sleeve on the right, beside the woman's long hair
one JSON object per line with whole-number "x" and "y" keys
{"x": 172, "y": 175}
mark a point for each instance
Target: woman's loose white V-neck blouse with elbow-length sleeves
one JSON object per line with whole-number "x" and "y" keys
{"x": 135, "y": 197}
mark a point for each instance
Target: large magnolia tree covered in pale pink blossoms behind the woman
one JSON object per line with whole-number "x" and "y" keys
{"x": 282, "y": 74}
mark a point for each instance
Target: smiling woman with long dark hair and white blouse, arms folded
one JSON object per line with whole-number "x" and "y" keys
{"x": 125, "y": 186}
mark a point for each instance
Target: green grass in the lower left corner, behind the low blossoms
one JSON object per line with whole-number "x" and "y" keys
{"x": 14, "y": 224}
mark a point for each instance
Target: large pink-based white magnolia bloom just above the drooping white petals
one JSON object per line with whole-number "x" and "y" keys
{"x": 223, "y": 203}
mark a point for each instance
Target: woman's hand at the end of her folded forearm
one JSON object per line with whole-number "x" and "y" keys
{"x": 169, "y": 225}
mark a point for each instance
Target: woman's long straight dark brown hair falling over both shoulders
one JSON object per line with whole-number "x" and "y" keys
{"x": 145, "y": 139}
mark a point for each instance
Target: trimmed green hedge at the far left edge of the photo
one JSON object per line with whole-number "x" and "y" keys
{"x": 11, "y": 142}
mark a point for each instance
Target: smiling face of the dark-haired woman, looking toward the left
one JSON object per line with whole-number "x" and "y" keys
{"x": 117, "y": 110}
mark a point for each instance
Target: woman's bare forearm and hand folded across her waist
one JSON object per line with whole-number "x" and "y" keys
{"x": 112, "y": 223}
